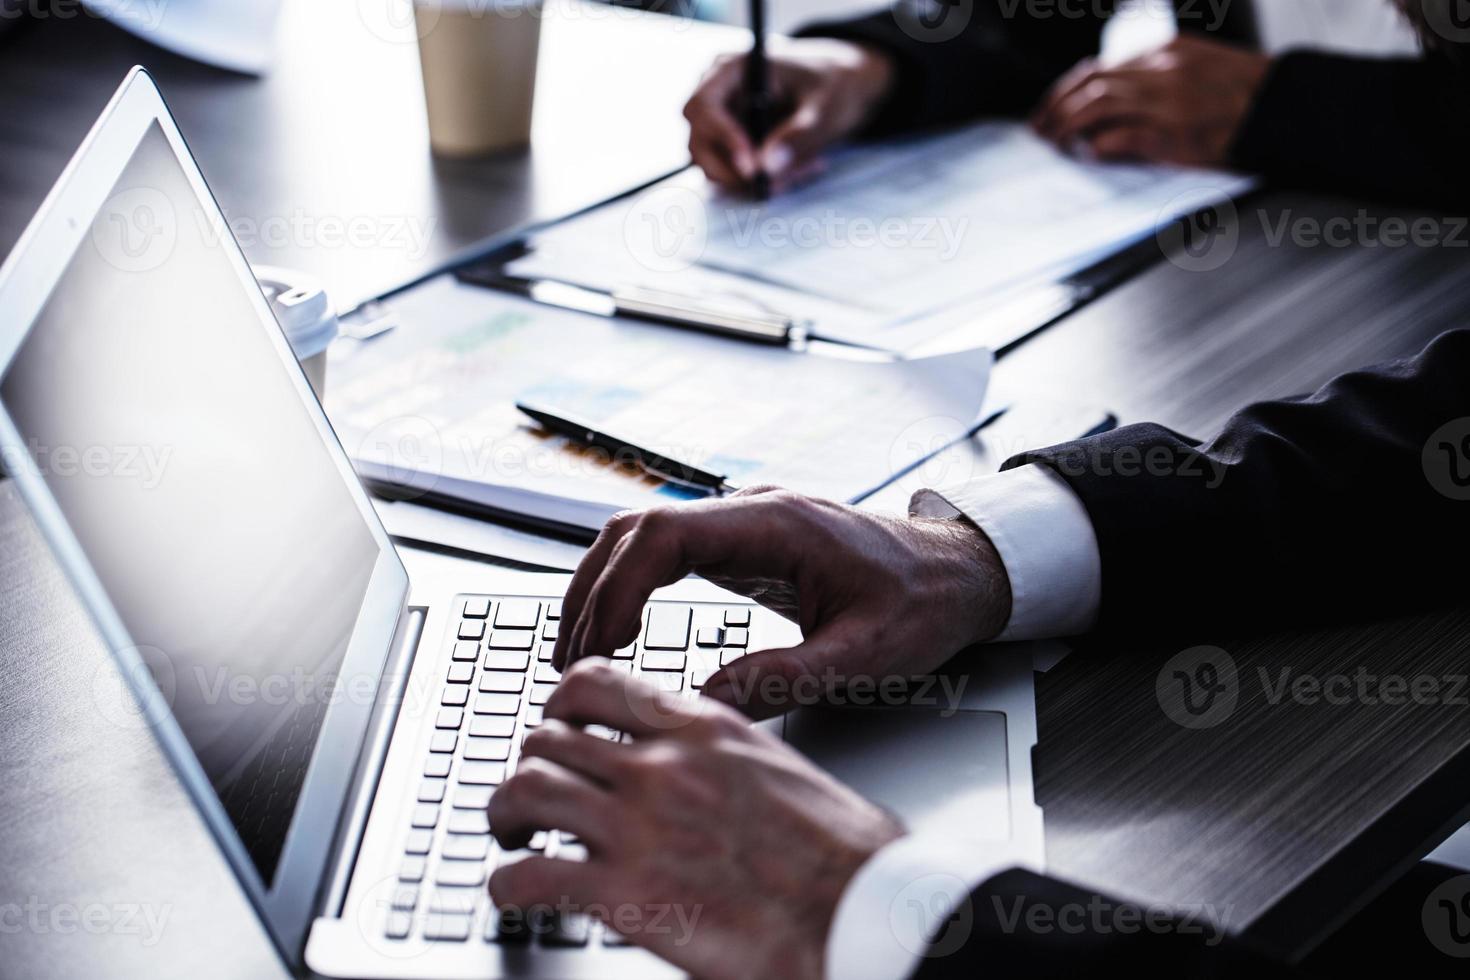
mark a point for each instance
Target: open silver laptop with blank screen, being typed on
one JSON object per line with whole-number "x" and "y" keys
{"x": 342, "y": 712}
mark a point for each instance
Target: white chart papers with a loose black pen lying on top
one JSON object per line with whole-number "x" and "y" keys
{"x": 436, "y": 399}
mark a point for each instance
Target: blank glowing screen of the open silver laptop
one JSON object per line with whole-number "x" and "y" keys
{"x": 171, "y": 436}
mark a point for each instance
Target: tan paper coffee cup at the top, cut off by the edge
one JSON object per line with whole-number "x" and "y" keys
{"x": 480, "y": 73}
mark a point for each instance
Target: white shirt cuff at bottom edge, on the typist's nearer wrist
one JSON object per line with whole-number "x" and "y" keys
{"x": 899, "y": 901}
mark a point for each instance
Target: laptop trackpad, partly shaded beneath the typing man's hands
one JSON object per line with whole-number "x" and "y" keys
{"x": 936, "y": 771}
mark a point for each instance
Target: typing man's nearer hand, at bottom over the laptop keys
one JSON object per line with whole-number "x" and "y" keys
{"x": 709, "y": 843}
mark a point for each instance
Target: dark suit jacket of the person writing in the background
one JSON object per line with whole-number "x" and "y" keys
{"x": 1387, "y": 129}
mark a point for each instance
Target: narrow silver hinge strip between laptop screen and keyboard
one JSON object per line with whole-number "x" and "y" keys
{"x": 373, "y": 759}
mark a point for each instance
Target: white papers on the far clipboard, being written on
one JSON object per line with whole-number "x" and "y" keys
{"x": 893, "y": 246}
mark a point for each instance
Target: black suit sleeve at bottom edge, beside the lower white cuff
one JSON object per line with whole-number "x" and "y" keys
{"x": 1021, "y": 925}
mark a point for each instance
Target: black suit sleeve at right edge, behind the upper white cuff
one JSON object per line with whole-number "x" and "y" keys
{"x": 1349, "y": 500}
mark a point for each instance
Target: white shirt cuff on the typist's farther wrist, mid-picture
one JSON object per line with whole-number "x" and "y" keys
{"x": 1046, "y": 541}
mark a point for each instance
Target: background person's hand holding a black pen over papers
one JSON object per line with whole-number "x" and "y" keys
{"x": 825, "y": 90}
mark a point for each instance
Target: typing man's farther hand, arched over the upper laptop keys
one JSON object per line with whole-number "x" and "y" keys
{"x": 875, "y": 597}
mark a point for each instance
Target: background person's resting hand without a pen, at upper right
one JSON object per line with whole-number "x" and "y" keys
{"x": 1183, "y": 104}
